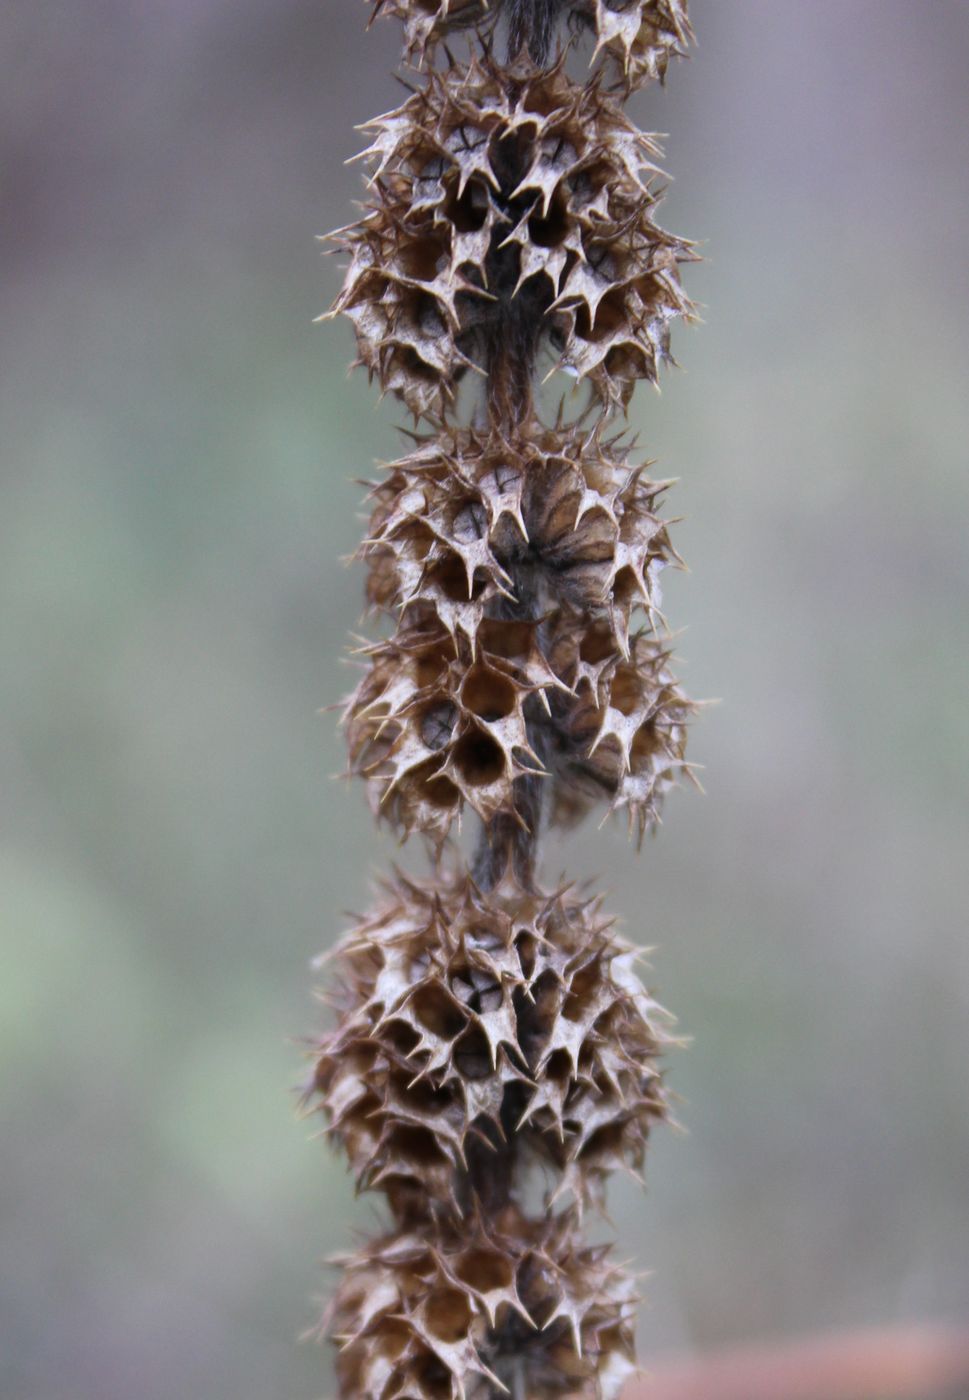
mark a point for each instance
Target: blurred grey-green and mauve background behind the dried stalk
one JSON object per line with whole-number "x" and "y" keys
{"x": 180, "y": 450}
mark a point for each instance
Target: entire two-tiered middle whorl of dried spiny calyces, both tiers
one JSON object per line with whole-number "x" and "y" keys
{"x": 466, "y": 701}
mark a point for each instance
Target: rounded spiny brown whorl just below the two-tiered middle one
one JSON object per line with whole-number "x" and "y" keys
{"x": 477, "y": 1034}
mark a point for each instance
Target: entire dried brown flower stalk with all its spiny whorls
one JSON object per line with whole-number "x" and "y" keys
{"x": 488, "y": 1032}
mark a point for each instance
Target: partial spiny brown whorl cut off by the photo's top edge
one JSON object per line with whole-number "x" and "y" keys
{"x": 635, "y": 38}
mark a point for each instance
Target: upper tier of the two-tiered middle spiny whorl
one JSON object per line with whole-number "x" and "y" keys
{"x": 559, "y": 513}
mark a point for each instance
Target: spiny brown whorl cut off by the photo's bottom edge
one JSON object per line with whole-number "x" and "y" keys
{"x": 509, "y": 1305}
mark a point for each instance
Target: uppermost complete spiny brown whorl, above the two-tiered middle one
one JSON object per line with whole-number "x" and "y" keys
{"x": 502, "y": 195}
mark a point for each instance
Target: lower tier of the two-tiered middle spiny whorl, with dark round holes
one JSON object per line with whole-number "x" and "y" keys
{"x": 435, "y": 726}
